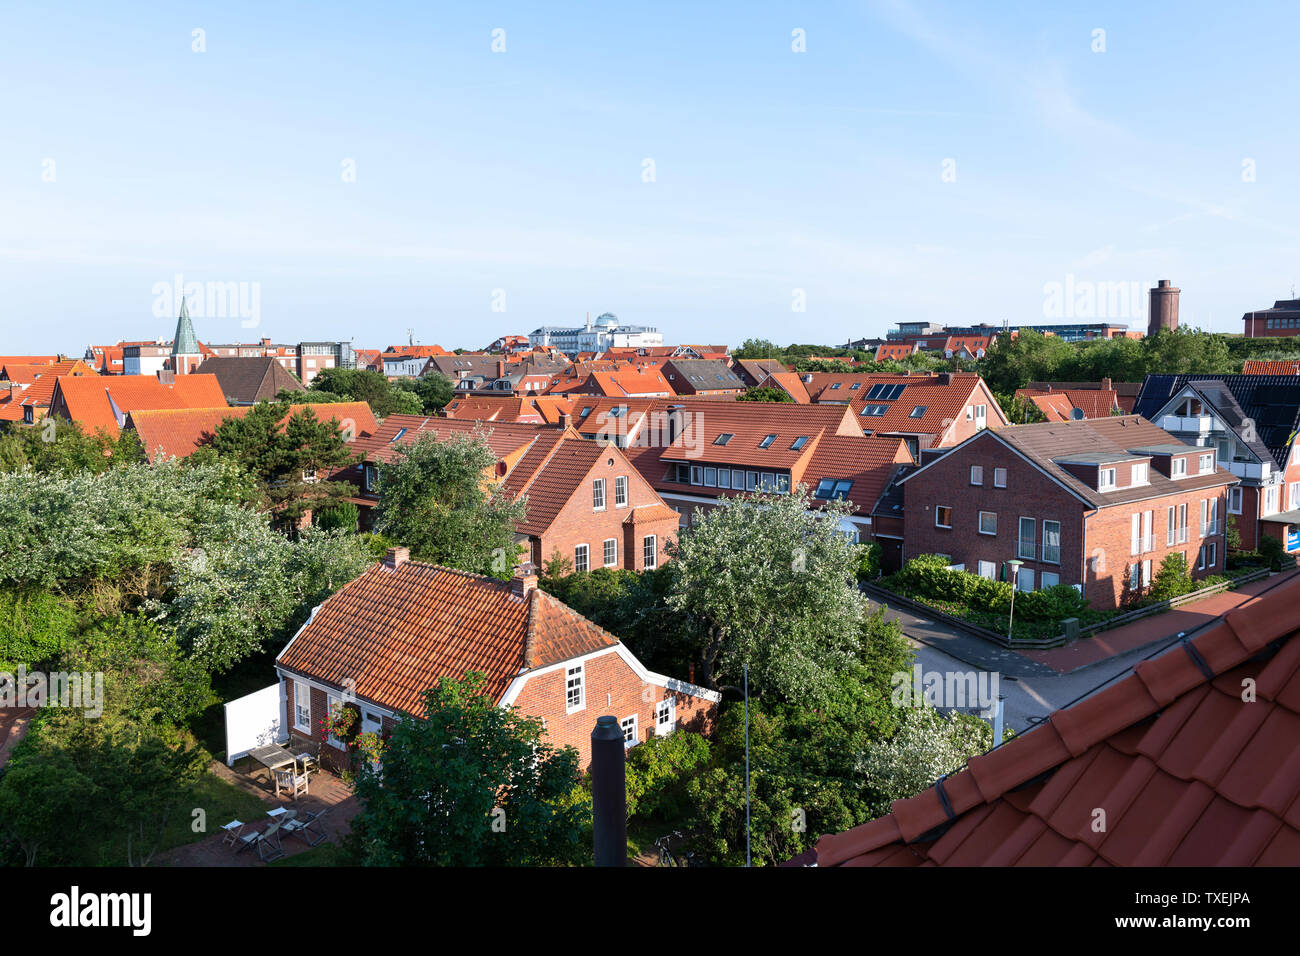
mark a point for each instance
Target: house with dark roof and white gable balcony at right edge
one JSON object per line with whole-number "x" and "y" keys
{"x": 1251, "y": 421}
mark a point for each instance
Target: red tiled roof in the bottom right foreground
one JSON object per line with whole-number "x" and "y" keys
{"x": 1194, "y": 760}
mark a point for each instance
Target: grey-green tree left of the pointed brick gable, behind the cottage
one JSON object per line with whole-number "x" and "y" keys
{"x": 437, "y": 499}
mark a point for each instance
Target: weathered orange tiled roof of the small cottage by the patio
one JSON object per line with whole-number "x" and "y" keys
{"x": 396, "y": 631}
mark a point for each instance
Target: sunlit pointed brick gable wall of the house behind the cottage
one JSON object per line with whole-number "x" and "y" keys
{"x": 578, "y": 524}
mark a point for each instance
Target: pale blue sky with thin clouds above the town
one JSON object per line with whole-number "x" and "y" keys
{"x": 523, "y": 171}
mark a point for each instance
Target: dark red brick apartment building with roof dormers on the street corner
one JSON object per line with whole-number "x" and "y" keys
{"x": 1095, "y": 504}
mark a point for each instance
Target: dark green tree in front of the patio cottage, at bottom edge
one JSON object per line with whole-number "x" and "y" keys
{"x": 470, "y": 785}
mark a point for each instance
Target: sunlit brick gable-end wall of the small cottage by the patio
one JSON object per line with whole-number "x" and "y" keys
{"x": 612, "y": 687}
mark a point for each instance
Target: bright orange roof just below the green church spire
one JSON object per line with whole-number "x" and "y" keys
{"x": 92, "y": 400}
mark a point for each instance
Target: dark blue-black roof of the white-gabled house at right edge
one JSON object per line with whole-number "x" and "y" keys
{"x": 1271, "y": 401}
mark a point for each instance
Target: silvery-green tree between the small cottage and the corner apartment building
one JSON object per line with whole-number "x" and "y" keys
{"x": 773, "y": 583}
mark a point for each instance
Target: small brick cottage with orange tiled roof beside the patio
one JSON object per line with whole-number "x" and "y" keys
{"x": 385, "y": 638}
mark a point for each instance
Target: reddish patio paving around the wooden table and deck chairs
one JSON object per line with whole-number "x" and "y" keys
{"x": 327, "y": 791}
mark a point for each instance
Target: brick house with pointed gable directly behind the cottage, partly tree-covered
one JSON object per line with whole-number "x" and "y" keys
{"x": 586, "y": 501}
